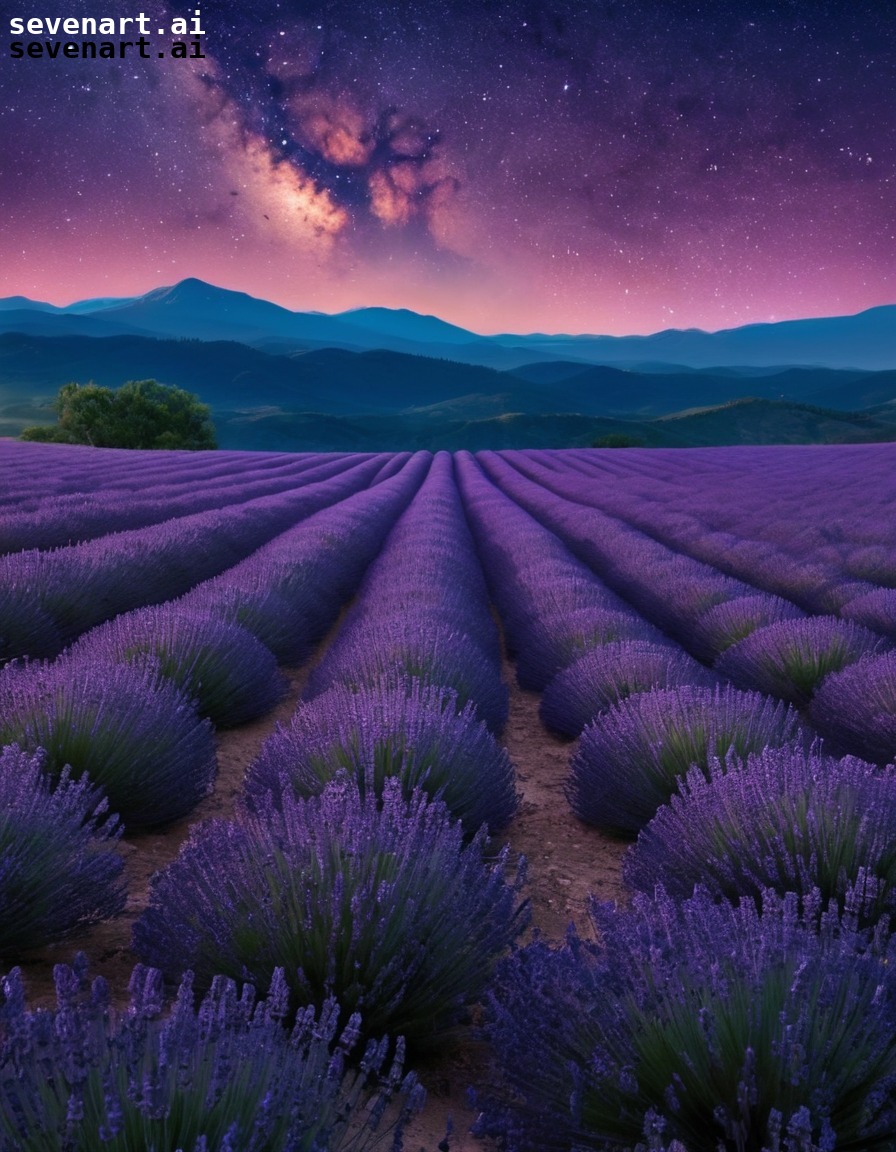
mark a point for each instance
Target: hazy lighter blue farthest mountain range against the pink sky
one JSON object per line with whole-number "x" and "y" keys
{"x": 198, "y": 310}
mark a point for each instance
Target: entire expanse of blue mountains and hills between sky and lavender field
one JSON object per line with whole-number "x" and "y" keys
{"x": 392, "y": 378}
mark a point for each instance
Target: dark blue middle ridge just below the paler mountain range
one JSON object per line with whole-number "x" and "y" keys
{"x": 232, "y": 375}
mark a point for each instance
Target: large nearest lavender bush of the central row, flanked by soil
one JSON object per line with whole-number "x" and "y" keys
{"x": 381, "y": 906}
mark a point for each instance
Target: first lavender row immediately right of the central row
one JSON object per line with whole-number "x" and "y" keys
{"x": 649, "y": 710}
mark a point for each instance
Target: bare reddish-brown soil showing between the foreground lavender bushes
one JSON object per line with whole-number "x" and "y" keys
{"x": 567, "y": 863}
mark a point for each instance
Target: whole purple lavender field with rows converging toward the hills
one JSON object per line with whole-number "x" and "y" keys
{"x": 297, "y": 751}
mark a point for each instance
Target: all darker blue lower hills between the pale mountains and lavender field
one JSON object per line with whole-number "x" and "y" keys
{"x": 417, "y": 393}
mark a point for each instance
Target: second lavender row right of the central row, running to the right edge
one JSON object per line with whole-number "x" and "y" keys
{"x": 842, "y": 673}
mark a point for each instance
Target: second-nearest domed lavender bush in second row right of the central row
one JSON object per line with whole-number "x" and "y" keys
{"x": 792, "y": 658}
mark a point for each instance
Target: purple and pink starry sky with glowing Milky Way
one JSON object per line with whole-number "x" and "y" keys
{"x": 576, "y": 166}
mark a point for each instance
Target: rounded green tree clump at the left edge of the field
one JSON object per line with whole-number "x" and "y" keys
{"x": 142, "y": 414}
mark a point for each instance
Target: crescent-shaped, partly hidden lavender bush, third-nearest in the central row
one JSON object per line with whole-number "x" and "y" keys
{"x": 404, "y": 649}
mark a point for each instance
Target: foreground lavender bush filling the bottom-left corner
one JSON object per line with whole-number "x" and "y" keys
{"x": 226, "y": 1079}
